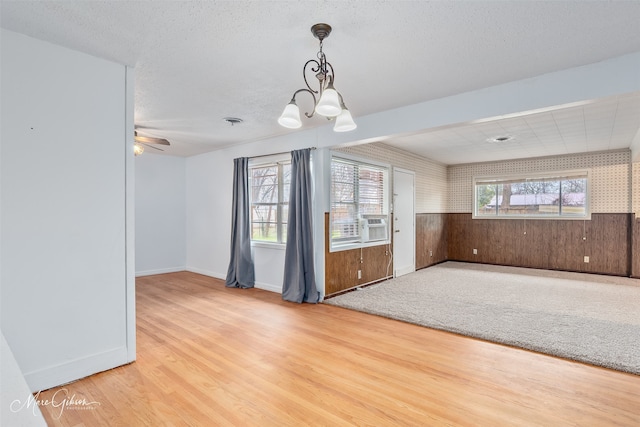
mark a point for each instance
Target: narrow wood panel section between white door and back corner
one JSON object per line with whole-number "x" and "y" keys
{"x": 431, "y": 239}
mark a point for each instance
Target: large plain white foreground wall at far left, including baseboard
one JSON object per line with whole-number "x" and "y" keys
{"x": 66, "y": 149}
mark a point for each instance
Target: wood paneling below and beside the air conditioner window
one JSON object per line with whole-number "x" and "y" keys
{"x": 341, "y": 268}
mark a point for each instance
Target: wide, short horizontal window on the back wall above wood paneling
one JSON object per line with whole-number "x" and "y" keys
{"x": 562, "y": 195}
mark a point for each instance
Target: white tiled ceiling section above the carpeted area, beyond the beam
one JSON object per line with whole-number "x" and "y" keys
{"x": 599, "y": 125}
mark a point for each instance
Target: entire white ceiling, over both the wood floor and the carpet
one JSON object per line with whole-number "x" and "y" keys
{"x": 200, "y": 61}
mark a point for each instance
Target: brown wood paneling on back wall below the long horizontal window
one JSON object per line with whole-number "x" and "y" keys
{"x": 547, "y": 244}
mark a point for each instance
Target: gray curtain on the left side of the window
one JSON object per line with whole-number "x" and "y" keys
{"x": 241, "y": 272}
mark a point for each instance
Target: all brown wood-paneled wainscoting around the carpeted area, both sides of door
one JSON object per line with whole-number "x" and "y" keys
{"x": 611, "y": 241}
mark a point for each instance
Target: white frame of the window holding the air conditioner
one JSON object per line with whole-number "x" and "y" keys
{"x": 346, "y": 244}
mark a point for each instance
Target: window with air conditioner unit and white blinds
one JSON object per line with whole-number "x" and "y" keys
{"x": 359, "y": 202}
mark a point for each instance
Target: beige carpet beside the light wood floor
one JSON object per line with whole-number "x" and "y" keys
{"x": 584, "y": 317}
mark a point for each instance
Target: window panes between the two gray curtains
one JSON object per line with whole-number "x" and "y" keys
{"x": 270, "y": 201}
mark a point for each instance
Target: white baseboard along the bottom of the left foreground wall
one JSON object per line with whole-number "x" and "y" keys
{"x": 76, "y": 369}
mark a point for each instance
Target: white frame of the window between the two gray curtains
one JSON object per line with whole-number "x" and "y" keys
{"x": 266, "y": 162}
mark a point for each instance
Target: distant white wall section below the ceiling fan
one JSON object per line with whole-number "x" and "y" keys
{"x": 160, "y": 214}
